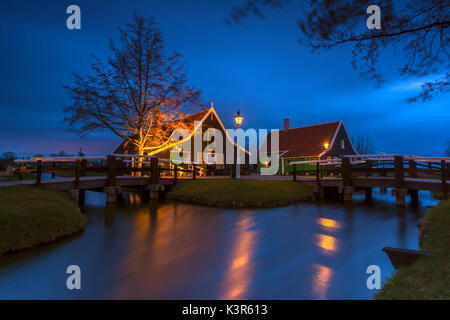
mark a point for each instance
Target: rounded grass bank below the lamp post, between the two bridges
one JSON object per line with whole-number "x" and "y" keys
{"x": 240, "y": 192}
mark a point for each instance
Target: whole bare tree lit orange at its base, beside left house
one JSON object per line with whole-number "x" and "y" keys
{"x": 137, "y": 94}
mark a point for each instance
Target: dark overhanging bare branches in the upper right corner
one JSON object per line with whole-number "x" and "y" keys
{"x": 420, "y": 26}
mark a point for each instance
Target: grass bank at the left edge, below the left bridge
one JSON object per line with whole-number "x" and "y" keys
{"x": 30, "y": 217}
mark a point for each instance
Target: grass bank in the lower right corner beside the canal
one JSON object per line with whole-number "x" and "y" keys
{"x": 428, "y": 278}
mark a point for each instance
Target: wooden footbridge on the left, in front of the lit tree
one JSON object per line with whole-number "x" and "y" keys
{"x": 110, "y": 174}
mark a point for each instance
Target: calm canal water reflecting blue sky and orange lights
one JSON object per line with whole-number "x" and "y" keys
{"x": 137, "y": 250}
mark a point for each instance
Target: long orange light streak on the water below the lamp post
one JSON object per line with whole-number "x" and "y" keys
{"x": 240, "y": 270}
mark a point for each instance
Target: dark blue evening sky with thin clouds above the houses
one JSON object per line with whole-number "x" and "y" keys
{"x": 257, "y": 66}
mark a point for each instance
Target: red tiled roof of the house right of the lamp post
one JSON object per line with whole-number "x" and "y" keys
{"x": 305, "y": 141}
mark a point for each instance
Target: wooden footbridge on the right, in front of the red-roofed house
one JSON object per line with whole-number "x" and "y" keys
{"x": 406, "y": 175}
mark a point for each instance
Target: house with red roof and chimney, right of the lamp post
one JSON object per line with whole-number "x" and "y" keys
{"x": 314, "y": 142}
